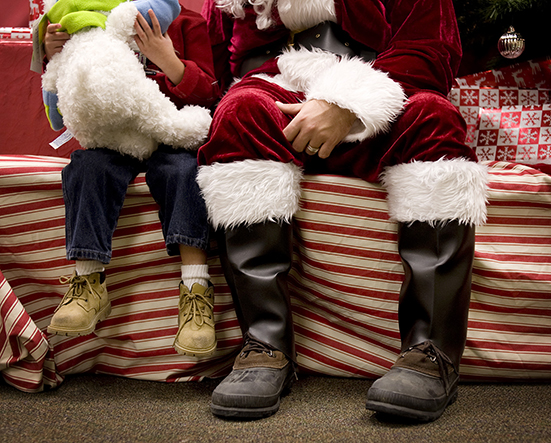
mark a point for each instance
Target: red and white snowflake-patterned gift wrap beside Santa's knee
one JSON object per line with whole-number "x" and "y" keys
{"x": 507, "y": 112}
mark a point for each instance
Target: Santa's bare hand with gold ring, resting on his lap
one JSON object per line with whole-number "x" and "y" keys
{"x": 317, "y": 126}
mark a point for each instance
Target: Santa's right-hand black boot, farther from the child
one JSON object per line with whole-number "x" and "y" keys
{"x": 433, "y": 314}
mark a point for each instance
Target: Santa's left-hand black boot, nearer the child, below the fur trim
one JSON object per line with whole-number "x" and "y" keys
{"x": 256, "y": 261}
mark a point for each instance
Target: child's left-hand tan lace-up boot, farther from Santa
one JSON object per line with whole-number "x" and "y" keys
{"x": 85, "y": 303}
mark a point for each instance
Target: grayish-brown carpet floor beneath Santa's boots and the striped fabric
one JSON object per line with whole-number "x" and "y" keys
{"x": 95, "y": 408}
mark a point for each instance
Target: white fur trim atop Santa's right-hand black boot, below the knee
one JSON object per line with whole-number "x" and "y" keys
{"x": 438, "y": 191}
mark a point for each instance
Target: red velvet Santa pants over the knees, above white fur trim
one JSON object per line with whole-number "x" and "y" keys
{"x": 248, "y": 125}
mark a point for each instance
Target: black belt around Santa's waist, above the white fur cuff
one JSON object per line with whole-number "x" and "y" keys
{"x": 327, "y": 36}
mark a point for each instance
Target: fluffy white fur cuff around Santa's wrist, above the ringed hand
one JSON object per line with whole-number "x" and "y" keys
{"x": 350, "y": 83}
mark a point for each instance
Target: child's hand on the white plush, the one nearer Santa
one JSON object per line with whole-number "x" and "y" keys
{"x": 158, "y": 48}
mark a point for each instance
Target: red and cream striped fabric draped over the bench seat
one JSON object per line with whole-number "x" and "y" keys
{"x": 344, "y": 284}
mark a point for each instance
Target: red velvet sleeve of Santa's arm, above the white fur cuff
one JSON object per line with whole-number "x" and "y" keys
{"x": 424, "y": 49}
